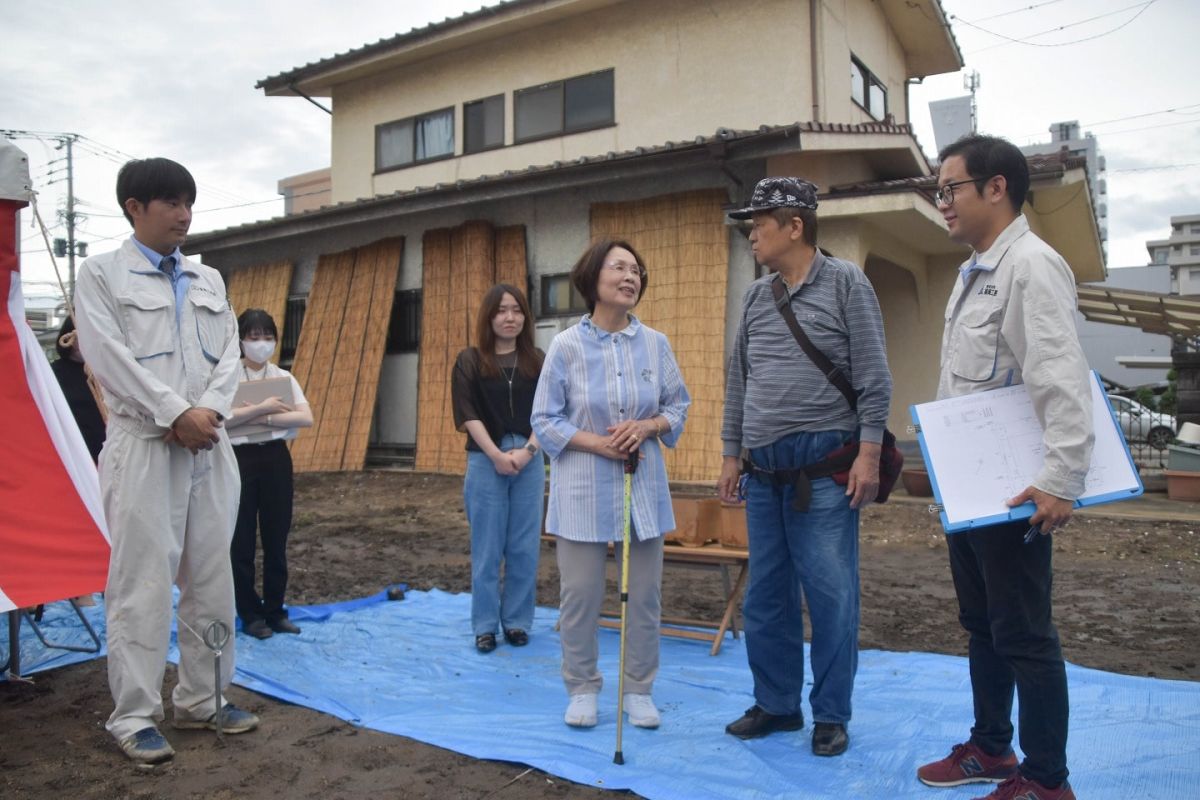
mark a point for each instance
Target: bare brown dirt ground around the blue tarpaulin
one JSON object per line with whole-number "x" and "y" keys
{"x": 1127, "y": 601}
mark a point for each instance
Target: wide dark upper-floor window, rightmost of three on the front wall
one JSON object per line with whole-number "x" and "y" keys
{"x": 561, "y": 107}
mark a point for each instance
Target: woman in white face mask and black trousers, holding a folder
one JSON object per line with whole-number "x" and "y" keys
{"x": 266, "y": 470}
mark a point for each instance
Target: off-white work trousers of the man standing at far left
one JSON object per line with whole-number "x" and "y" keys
{"x": 171, "y": 518}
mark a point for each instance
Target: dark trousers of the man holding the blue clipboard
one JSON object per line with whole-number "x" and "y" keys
{"x": 1004, "y": 588}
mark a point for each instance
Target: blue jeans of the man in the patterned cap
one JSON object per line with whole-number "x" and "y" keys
{"x": 815, "y": 552}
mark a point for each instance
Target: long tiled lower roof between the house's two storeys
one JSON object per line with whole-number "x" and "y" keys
{"x": 722, "y": 137}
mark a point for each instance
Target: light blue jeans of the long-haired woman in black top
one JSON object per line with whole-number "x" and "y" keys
{"x": 505, "y": 514}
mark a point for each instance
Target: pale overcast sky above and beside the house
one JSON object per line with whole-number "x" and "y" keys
{"x": 178, "y": 79}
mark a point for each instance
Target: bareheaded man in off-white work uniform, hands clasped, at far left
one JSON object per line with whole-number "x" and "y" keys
{"x": 158, "y": 332}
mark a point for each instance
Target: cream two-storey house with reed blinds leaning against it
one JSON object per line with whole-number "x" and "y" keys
{"x": 496, "y": 145}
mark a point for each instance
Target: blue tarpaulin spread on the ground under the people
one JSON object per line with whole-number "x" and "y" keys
{"x": 411, "y": 669}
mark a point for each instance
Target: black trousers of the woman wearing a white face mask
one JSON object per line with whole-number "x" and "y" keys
{"x": 266, "y": 508}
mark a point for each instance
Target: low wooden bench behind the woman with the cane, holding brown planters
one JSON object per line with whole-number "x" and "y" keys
{"x": 710, "y": 557}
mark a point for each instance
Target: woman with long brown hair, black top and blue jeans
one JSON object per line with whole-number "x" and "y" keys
{"x": 493, "y": 389}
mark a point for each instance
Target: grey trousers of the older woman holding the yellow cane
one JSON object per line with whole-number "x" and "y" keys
{"x": 581, "y": 568}
